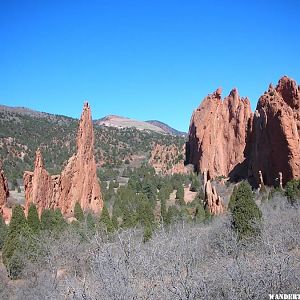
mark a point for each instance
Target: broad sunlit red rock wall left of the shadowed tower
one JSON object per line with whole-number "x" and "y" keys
{"x": 218, "y": 134}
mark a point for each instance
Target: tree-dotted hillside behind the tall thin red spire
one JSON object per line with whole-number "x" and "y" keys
{"x": 22, "y": 131}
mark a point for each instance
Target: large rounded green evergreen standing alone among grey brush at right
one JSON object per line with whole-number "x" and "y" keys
{"x": 245, "y": 212}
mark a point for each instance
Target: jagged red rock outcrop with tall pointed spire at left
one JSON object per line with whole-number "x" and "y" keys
{"x": 78, "y": 181}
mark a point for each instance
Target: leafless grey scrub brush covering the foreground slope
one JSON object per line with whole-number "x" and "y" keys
{"x": 185, "y": 262}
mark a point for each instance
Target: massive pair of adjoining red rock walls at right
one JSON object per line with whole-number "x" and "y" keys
{"x": 228, "y": 140}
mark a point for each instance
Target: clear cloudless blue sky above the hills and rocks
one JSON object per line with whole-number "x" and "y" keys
{"x": 143, "y": 59}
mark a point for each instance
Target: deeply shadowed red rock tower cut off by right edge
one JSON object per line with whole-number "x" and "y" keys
{"x": 276, "y": 129}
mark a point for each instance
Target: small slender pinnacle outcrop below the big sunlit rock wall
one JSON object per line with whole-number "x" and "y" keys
{"x": 212, "y": 201}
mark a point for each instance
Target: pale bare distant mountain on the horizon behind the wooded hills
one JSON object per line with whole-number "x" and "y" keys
{"x": 123, "y": 122}
